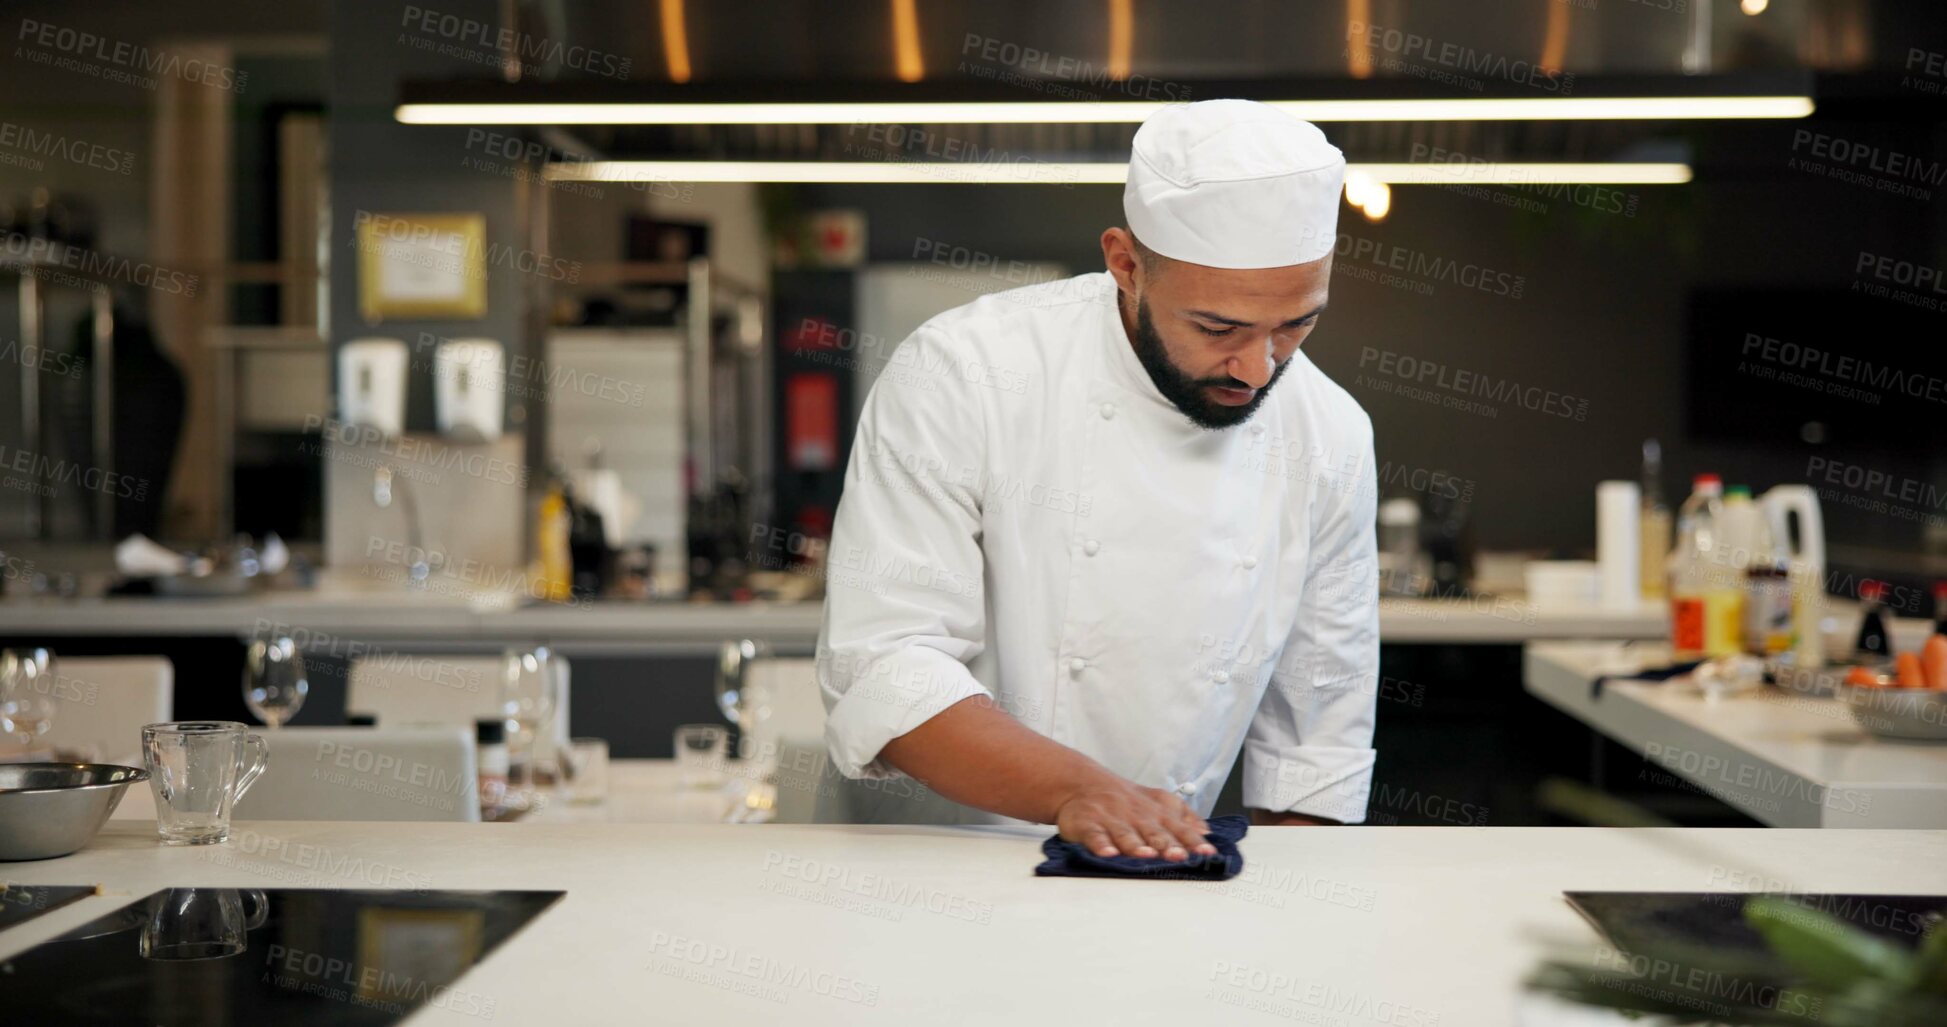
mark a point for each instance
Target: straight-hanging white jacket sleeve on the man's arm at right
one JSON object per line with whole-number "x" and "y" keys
{"x": 1309, "y": 747}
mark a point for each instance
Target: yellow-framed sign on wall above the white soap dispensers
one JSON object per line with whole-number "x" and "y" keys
{"x": 422, "y": 266}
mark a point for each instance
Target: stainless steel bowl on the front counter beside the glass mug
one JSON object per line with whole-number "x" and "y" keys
{"x": 54, "y": 810}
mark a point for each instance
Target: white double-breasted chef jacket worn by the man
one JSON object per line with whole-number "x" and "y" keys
{"x": 1027, "y": 517}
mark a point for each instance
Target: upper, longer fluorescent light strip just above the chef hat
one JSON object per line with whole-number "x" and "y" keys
{"x": 1650, "y": 108}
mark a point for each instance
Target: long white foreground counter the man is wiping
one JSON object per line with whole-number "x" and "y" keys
{"x": 1409, "y": 927}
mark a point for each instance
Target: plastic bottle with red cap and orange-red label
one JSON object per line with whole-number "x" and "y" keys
{"x": 1705, "y": 597}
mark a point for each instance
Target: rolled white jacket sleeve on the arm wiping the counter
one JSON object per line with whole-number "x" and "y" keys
{"x": 904, "y": 578}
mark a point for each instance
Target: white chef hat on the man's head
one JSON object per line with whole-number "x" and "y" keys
{"x": 1233, "y": 184}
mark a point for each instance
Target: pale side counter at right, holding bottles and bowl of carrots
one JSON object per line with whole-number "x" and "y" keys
{"x": 1784, "y": 759}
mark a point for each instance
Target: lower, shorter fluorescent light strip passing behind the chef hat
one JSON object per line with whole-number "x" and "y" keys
{"x": 1085, "y": 174}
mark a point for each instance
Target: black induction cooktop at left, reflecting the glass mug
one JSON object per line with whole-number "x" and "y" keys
{"x": 270, "y": 956}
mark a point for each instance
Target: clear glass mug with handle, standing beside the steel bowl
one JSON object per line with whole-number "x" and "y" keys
{"x": 198, "y": 773}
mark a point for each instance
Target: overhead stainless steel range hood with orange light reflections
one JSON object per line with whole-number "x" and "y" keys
{"x": 731, "y": 81}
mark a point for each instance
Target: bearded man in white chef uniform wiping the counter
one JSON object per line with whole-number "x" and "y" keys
{"x": 1103, "y": 535}
